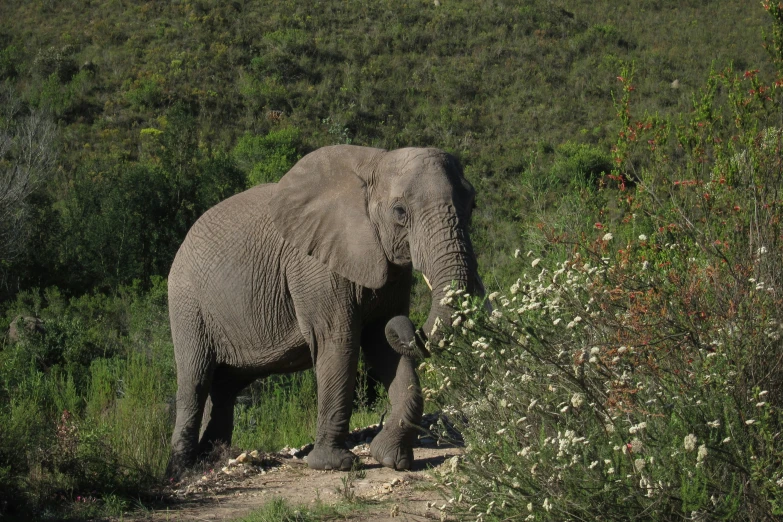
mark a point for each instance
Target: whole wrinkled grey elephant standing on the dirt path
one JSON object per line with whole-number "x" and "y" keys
{"x": 300, "y": 274}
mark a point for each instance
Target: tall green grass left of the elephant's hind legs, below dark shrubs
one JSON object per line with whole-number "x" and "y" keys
{"x": 86, "y": 403}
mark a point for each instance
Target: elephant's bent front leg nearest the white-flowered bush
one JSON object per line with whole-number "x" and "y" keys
{"x": 393, "y": 447}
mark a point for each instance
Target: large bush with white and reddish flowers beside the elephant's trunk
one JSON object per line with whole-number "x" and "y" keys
{"x": 641, "y": 377}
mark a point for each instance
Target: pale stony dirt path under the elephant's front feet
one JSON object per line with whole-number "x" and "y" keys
{"x": 379, "y": 494}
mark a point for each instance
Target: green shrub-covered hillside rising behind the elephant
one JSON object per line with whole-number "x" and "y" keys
{"x": 509, "y": 88}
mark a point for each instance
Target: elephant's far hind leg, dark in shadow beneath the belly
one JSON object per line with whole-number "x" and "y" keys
{"x": 217, "y": 424}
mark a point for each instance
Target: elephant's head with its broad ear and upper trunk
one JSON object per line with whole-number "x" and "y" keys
{"x": 369, "y": 213}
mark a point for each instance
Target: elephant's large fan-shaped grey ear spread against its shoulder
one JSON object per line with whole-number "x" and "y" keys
{"x": 320, "y": 207}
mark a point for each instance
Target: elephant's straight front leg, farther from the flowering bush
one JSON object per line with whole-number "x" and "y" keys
{"x": 335, "y": 370}
